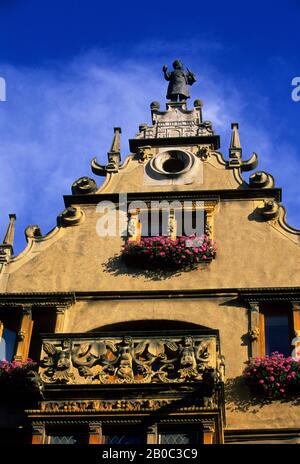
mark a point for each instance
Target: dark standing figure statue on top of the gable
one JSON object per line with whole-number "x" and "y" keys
{"x": 179, "y": 80}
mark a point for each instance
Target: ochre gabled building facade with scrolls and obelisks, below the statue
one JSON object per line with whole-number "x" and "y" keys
{"x": 130, "y": 350}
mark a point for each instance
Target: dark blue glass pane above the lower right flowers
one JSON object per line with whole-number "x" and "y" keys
{"x": 277, "y": 334}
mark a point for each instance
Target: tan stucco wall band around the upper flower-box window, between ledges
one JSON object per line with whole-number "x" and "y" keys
{"x": 250, "y": 254}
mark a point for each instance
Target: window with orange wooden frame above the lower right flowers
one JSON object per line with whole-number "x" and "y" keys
{"x": 276, "y": 330}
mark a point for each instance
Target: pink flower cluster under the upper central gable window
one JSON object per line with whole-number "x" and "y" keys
{"x": 164, "y": 252}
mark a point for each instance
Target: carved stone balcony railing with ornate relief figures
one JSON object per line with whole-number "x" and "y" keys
{"x": 91, "y": 359}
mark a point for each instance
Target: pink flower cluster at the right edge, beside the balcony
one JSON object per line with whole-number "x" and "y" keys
{"x": 276, "y": 376}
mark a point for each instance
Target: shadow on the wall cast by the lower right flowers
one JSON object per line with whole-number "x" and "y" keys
{"x": 239, "y": 398}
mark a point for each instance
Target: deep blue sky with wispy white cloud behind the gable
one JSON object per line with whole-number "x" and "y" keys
{"x": 75, "y": 69}
